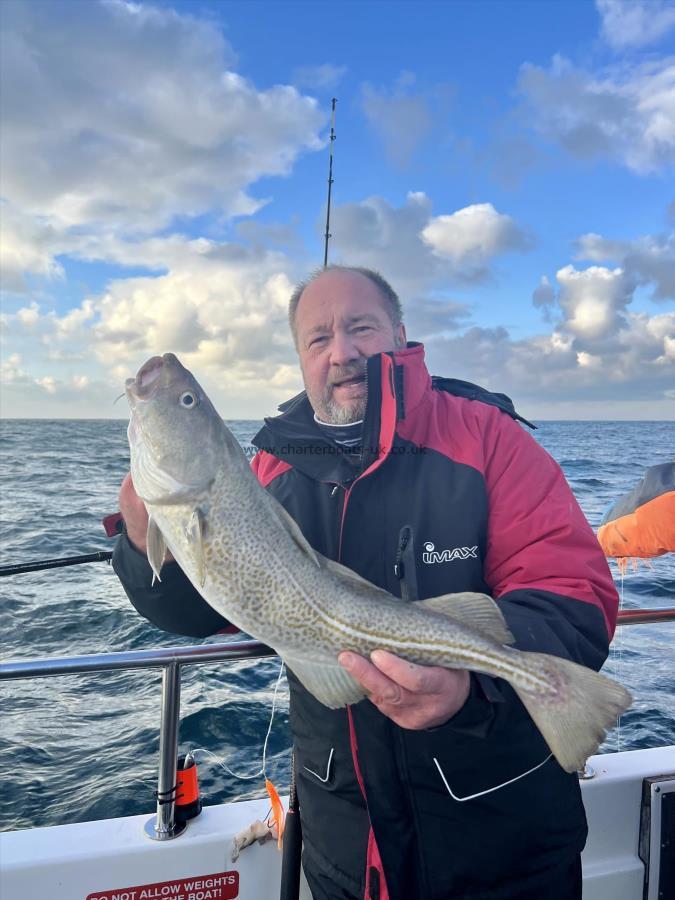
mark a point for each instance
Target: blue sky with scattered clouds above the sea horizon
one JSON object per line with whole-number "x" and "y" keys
{"x": 508, "y": 165}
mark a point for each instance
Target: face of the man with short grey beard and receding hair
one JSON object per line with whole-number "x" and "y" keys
{"x": 340, "y": 321}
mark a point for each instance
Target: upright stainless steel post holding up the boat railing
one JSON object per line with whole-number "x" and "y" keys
{"x": 163, "y": 827}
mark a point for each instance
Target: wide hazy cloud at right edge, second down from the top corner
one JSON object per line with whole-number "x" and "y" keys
{"x": 626, "y": 114}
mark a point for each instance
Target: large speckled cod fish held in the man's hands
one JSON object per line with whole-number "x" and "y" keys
{"x": 248, "y": 558}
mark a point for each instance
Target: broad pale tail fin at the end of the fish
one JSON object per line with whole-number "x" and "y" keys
{"x": 575, "y": 716}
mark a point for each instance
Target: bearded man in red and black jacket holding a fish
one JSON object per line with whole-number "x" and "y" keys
{"x": 438, "y": 786}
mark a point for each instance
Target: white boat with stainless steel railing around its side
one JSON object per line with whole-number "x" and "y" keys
{"x": 629, "y": 799}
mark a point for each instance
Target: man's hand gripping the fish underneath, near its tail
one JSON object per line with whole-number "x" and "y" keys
{"x": 412, "y": 696}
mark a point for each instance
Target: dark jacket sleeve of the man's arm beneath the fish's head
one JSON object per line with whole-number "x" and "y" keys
{"x": 171, "y": 604}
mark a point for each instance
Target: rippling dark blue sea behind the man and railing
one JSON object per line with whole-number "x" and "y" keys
{"x": 82, "y": 747}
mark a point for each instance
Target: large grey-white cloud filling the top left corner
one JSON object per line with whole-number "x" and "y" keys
{"x": 123, "y": 116}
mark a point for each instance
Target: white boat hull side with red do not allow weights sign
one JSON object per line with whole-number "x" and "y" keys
{"x": 115, "y": 860}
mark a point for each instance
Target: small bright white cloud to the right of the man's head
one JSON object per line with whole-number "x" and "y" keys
{"x": 472, "y": 236}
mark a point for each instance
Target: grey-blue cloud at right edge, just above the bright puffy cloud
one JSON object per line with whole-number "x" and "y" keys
{"x": 647, "y": 260}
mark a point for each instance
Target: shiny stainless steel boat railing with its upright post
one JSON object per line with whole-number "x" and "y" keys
{"x": 171, "y": 659}
